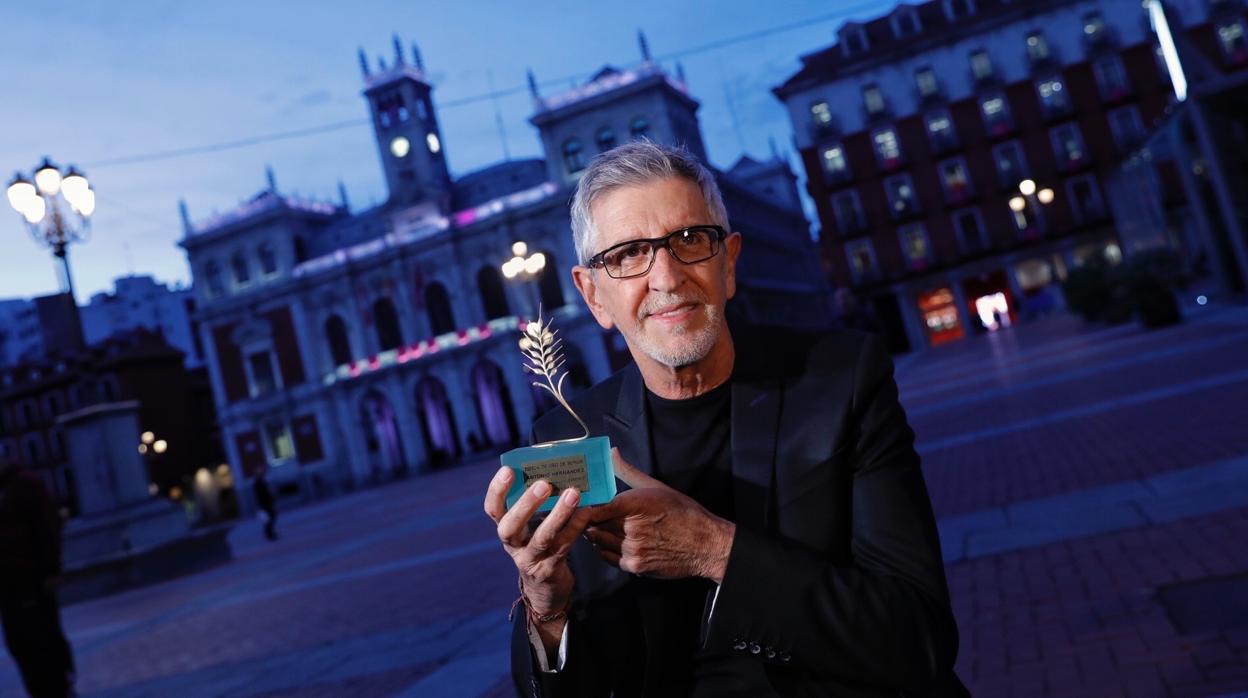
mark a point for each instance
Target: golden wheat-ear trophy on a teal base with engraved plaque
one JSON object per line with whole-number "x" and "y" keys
{"x": 583, "y": 463}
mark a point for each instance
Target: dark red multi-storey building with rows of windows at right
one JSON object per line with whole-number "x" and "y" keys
{"x": 959, "y": 152}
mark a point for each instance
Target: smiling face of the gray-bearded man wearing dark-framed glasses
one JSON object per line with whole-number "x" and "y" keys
{"x": 673, "y": 315}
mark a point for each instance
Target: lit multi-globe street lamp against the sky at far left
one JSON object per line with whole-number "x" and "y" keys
{"x": 57, "y": 208}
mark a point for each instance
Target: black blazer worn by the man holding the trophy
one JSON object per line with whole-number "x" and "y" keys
{"x": 836, "y": 581}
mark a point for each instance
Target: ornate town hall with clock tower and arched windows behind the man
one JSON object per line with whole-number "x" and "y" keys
{"x": 353, "y": 348}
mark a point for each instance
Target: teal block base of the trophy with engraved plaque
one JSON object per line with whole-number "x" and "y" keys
{"x": 585, "y": 465}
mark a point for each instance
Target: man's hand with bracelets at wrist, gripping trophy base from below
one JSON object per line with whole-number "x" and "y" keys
{"x": 541, "y": 556}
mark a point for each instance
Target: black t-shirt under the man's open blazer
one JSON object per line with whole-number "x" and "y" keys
{"x": 692, "y": 453}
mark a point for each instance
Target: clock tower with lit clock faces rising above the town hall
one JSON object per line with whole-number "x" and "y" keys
{"x": 406, "y": 128}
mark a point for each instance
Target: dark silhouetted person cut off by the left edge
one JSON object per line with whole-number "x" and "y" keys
{"x": 31, "y": 569}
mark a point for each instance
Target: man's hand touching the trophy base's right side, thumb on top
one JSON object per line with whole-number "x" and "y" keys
{"x": 656, "y": 531}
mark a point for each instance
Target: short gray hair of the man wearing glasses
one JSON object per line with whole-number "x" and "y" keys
{"x": 638, "y": 163}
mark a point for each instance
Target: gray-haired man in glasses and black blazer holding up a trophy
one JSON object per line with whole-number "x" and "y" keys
{"x": 777, "y": 538}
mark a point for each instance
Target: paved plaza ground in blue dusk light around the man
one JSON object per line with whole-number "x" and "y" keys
{"x": 1084, "y": 480}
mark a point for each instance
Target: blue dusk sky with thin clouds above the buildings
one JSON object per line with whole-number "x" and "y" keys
{"x": 110, "y": 87}
